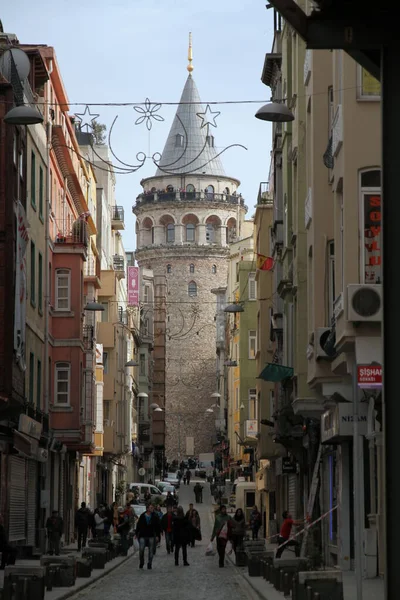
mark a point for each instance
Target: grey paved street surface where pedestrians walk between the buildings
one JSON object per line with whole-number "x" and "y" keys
{"x": 202, "y": 580}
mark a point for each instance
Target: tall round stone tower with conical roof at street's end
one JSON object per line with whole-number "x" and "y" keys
{"x": 186, "y": 216}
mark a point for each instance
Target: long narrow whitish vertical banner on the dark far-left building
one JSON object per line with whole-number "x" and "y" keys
{"x": 20, "y": 287}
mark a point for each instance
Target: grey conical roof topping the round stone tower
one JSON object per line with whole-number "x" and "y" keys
{"x": 193, "y": 153}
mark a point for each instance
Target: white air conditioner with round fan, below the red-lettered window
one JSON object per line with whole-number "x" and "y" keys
{"x": 364, "y": 302}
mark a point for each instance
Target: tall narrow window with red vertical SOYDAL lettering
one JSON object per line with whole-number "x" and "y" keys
{"x": 371, "y": 250}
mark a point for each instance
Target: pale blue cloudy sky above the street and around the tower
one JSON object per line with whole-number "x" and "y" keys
{"x": 128, "y": 50}
